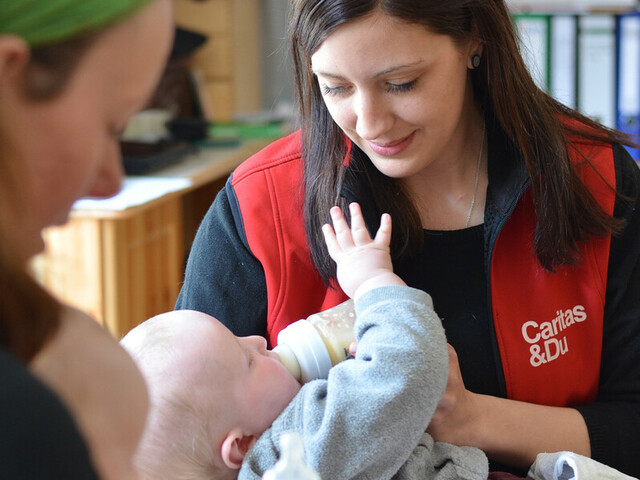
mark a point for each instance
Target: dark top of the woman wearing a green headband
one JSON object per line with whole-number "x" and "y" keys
{"x": 38, "y": 438}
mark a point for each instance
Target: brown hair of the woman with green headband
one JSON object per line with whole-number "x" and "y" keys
{"x": 29, "y": 315}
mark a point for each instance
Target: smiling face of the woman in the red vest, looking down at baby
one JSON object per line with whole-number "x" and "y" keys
{"x": 399, "y": 91}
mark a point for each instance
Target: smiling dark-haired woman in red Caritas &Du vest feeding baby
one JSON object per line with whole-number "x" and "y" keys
{"x": 516, "y": 214}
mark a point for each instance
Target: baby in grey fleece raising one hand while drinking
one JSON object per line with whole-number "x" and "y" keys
{"x": 220, "y": 403}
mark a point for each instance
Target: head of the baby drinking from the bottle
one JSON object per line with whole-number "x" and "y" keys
{"x": 212, "y": 394}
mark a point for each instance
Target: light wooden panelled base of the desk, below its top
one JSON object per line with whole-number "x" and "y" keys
{"x": 120, "y": 269}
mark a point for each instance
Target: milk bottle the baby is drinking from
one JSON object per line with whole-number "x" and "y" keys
{"x": 308, "y": 348}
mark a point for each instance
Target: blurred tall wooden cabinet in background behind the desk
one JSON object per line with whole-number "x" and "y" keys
{"x": 227, "y": 66}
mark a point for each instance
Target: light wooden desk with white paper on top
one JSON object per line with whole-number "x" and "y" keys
{"x": 124, "y": 264}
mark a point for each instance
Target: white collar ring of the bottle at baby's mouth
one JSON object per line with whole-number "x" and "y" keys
{"x": 306, "y": 344}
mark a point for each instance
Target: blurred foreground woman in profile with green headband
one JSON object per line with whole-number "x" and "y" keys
{"x": 71, "y": 74}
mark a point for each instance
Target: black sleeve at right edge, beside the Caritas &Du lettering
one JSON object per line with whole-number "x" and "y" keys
{"x": 613, "y": 421}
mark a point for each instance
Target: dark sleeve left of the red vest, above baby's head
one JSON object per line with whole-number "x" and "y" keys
{"x": 222, "y": 277}
